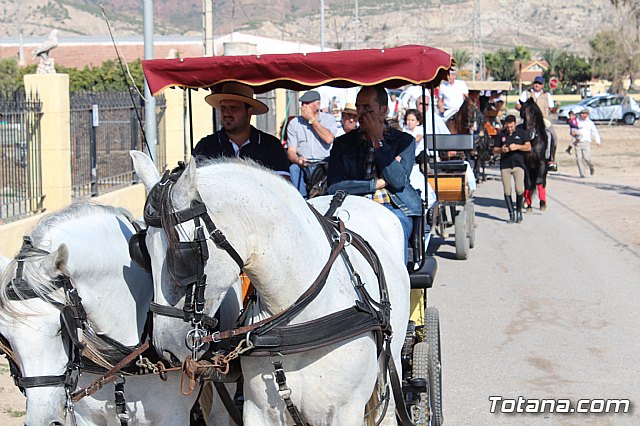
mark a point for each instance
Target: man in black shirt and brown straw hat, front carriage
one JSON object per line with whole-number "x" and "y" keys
{"x": 238, "y": 138}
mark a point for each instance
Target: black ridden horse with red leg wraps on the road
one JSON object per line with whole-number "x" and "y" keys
{"x": 536, "y": 159}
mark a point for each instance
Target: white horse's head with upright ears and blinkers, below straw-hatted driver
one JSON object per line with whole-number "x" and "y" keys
{"x": 174, "y": 259}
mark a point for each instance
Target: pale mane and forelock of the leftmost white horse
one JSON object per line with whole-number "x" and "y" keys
{"x": 33, "y": 274}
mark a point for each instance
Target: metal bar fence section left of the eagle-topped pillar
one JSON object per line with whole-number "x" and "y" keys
{"x": 20, "y": 167}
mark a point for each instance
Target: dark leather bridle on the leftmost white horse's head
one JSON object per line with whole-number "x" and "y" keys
{"x": 72, "y": 318}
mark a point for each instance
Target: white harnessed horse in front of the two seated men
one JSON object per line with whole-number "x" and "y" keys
{"x": 283, "y": 249}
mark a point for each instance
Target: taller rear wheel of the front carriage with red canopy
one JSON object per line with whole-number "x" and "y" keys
{"x": 432, "y": 331}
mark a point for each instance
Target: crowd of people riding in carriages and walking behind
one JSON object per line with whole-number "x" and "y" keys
{"x": 373, "y": 147}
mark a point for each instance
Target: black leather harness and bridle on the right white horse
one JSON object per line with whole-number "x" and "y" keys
{"x": 274, "y": 335}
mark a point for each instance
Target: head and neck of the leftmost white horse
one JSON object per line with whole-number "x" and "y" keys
{"x": 87, "y": 281}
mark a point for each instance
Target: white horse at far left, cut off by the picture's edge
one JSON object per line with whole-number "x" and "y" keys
{"x": 88, "y": 243}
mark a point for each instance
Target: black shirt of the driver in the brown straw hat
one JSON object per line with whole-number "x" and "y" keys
{"x": 261, "y": 148}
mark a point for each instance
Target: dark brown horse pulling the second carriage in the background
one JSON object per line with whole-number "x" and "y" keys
{"x": 469, "y": 120}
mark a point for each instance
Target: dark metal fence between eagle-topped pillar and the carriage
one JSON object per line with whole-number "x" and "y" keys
{"x": 104, "y": 127}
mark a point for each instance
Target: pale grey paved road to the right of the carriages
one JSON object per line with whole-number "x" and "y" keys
{"x": 545, "y": 309}
